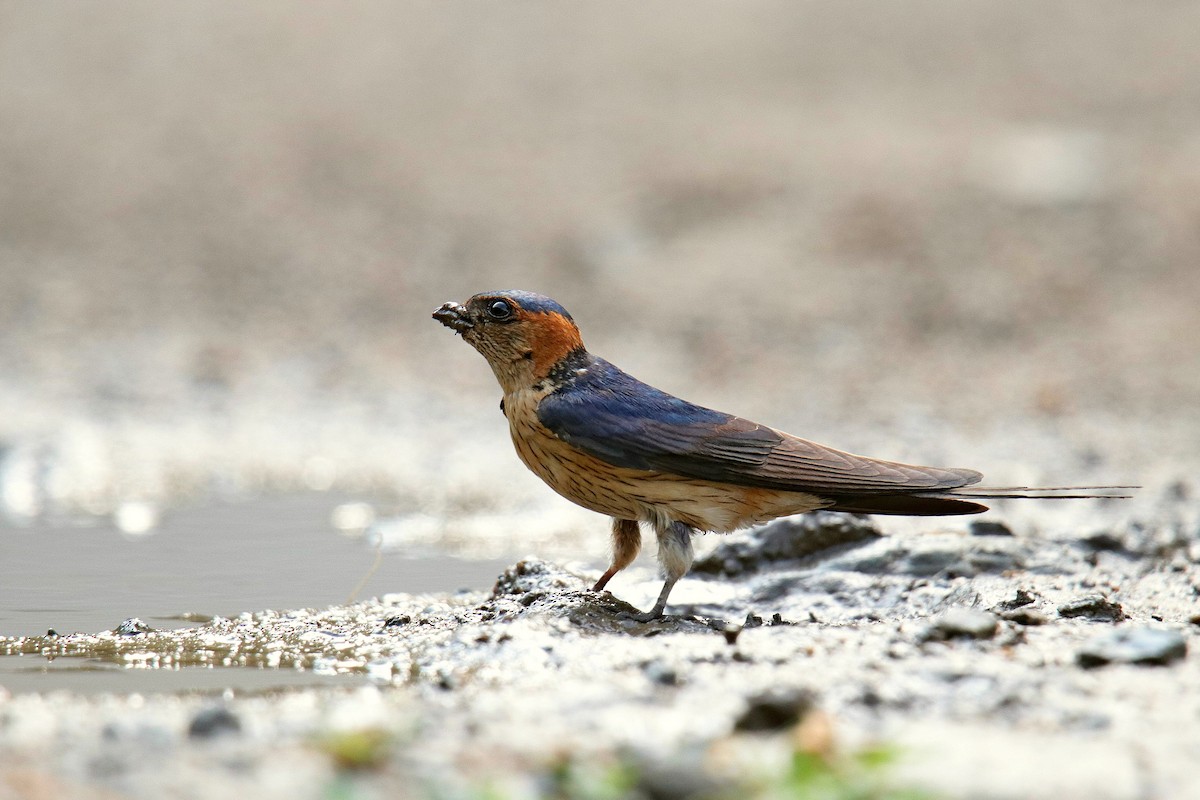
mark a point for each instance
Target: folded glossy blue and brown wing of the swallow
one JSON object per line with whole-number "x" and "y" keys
{"x": 626, "y": 423}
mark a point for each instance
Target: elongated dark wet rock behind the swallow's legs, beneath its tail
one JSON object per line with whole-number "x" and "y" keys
{"x": 785, "y": 540}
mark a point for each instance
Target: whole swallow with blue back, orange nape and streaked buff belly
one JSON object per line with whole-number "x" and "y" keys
{"x": 622, "y": 448}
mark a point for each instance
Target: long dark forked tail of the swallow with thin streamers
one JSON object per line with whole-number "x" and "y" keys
{"x": 965, "y": 500}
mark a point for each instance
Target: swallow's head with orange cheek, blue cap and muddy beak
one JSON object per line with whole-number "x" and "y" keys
{"x": 521, "y": 334}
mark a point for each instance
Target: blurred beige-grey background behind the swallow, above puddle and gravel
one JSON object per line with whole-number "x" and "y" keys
{"x": 962, "y": 234}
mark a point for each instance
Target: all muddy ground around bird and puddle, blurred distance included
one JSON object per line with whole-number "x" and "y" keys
{"x": 957, "y": 236}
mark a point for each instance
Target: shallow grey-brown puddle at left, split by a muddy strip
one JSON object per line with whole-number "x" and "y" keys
{"x": 205, "y": 562}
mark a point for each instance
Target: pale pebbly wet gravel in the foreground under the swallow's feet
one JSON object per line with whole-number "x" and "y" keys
{"x": 503, "y": 688}
